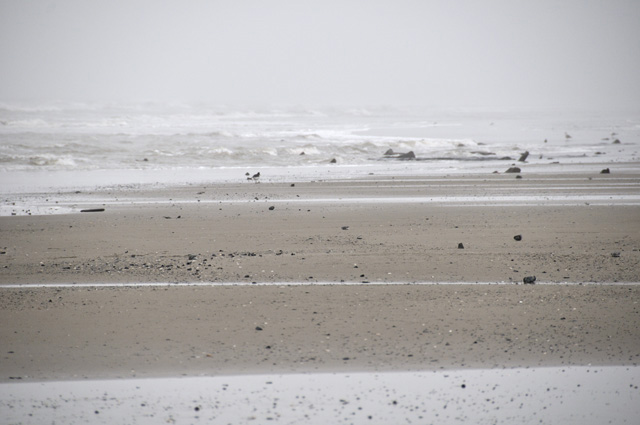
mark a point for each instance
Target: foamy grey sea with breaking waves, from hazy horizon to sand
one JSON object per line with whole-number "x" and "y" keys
{"x": 66, "y": 145}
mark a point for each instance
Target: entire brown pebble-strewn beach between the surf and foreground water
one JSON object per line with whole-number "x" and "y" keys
{"x": 579, "y": 229}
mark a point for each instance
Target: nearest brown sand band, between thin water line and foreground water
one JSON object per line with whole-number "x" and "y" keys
{"x": 81, "y": 333}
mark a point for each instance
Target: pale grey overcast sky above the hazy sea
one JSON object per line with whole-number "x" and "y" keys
{"x": 434, "y": 53}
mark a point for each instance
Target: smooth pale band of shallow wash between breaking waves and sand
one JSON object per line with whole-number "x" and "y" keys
{"x": 16, "y": 183}
